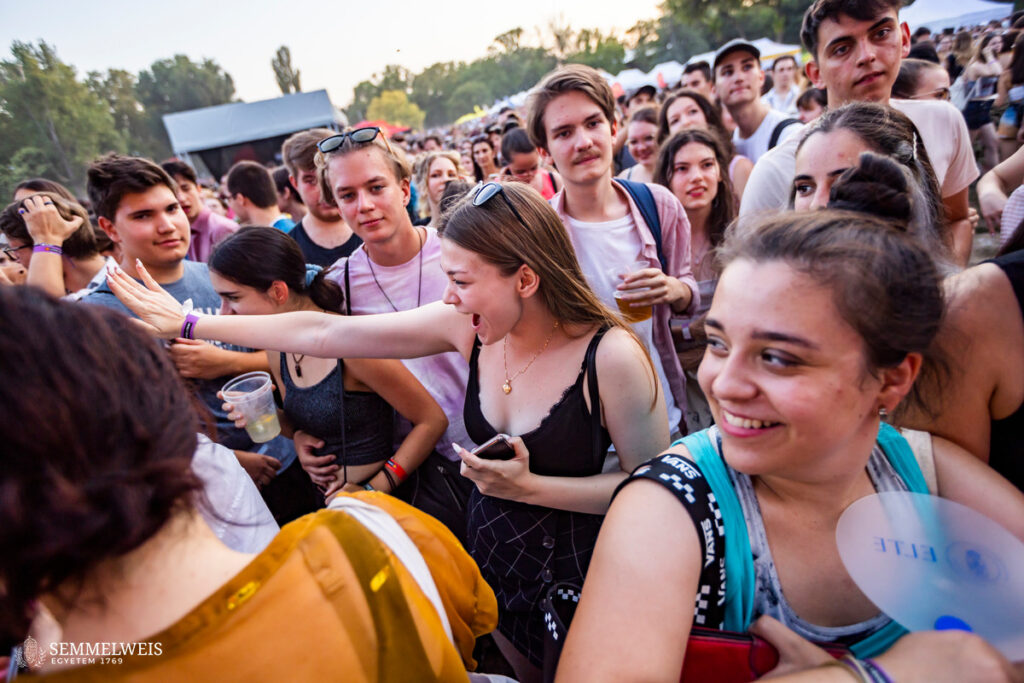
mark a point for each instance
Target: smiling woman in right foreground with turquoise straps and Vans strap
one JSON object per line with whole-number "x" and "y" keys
{"x": 801, "y": 371}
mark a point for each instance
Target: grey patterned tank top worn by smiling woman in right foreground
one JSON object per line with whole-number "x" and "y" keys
{"x": 769, "y": 597}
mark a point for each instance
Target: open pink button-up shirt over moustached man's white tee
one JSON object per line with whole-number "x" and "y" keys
{"x": 676, "y": 246}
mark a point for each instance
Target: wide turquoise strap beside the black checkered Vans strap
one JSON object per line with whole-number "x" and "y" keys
{"x": 739, "y": 558}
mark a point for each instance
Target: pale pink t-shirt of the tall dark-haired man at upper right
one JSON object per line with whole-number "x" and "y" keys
{"x": 944, "y": 133}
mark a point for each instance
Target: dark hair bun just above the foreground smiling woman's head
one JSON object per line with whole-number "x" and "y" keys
{"x": 877, "y": 186}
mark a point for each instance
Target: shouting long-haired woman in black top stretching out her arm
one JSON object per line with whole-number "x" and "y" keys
{"x": 548, "y": 362}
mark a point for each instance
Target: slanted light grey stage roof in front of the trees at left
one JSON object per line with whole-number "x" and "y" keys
{"x": 236, "y": 123}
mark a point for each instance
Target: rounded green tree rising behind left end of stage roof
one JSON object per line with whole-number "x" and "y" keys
{"x": 179, "y": 86}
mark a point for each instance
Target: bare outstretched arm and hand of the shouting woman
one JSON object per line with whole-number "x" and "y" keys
{"x": 432, "y": 329}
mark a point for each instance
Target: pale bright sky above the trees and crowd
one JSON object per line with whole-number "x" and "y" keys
{"x": 334, "y": 46}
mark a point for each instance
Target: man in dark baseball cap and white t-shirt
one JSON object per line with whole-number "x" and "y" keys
{"x": 739, "y": 79}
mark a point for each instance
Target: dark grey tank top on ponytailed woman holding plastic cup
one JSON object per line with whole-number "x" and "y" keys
{"x": 358, "y": 426}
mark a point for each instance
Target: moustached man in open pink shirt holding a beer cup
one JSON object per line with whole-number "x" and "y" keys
{"x": 572, "y": 117}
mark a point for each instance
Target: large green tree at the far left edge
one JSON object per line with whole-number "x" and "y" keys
{"x": 51, "y": 123}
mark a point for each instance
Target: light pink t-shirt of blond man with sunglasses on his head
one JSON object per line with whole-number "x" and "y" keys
{"x": 444, "y": 375}
